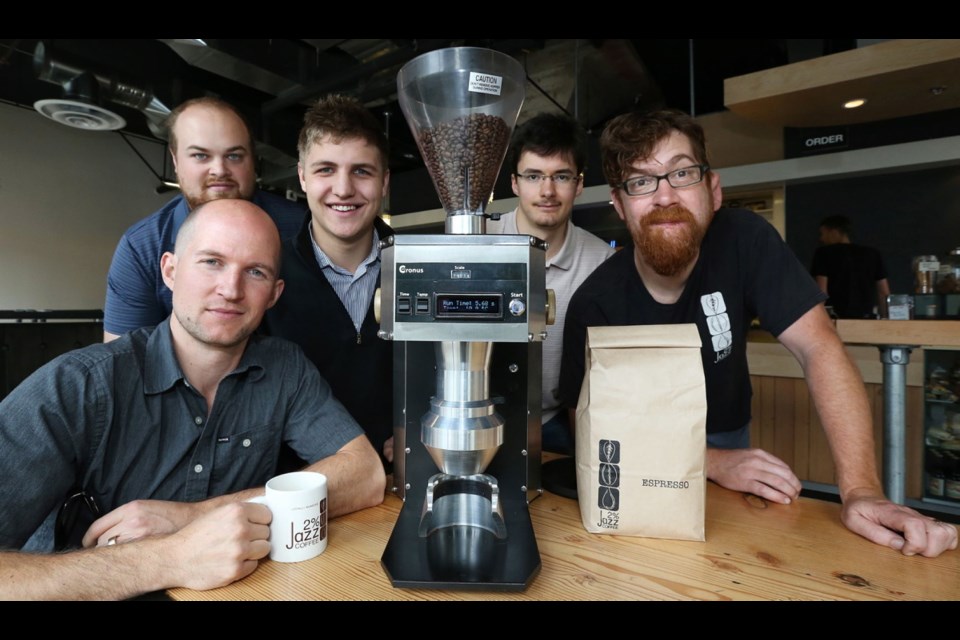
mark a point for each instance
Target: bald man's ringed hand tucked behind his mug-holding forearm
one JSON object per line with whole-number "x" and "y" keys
{"x": 139, "y": 519}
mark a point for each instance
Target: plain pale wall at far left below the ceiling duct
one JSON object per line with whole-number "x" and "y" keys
{"x": 66, "y": 197}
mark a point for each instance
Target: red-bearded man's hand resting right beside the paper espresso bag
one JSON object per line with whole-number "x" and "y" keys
{"x": 753, "y": 471}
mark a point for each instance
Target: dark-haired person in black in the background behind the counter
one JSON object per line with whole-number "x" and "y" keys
{"x": 852, "y": 275}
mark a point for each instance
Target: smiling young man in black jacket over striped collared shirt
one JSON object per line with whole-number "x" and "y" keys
{"x": 332, "y": 266}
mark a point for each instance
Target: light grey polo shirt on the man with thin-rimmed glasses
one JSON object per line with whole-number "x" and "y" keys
{"x": 581, "y": 253}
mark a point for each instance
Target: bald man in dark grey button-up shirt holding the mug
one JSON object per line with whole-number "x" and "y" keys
{"x": 158, "y": 427}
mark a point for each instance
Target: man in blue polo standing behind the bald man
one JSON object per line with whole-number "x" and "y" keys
{"x": 213, "y": 155}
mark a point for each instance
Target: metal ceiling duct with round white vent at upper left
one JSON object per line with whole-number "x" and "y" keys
{"x": 85, "y": 94}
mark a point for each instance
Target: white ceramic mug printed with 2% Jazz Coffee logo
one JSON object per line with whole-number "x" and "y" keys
{"x": 298, "y": 502}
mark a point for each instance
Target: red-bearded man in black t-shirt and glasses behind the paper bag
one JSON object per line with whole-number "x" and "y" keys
{"x": 694, "y": 262}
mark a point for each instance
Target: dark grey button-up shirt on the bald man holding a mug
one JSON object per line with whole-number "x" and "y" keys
{"x": 121, "y": 420}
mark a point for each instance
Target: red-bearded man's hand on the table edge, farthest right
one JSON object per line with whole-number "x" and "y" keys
{"x": 896, "y": 526}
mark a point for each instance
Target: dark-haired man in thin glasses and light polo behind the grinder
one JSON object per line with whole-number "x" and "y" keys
{"x": 546, "y": 158}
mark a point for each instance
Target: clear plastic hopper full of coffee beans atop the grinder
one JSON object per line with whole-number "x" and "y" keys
{"x": 462, "y": 104}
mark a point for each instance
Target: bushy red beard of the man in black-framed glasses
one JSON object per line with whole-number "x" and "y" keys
{"x": 668, "y": 252}
